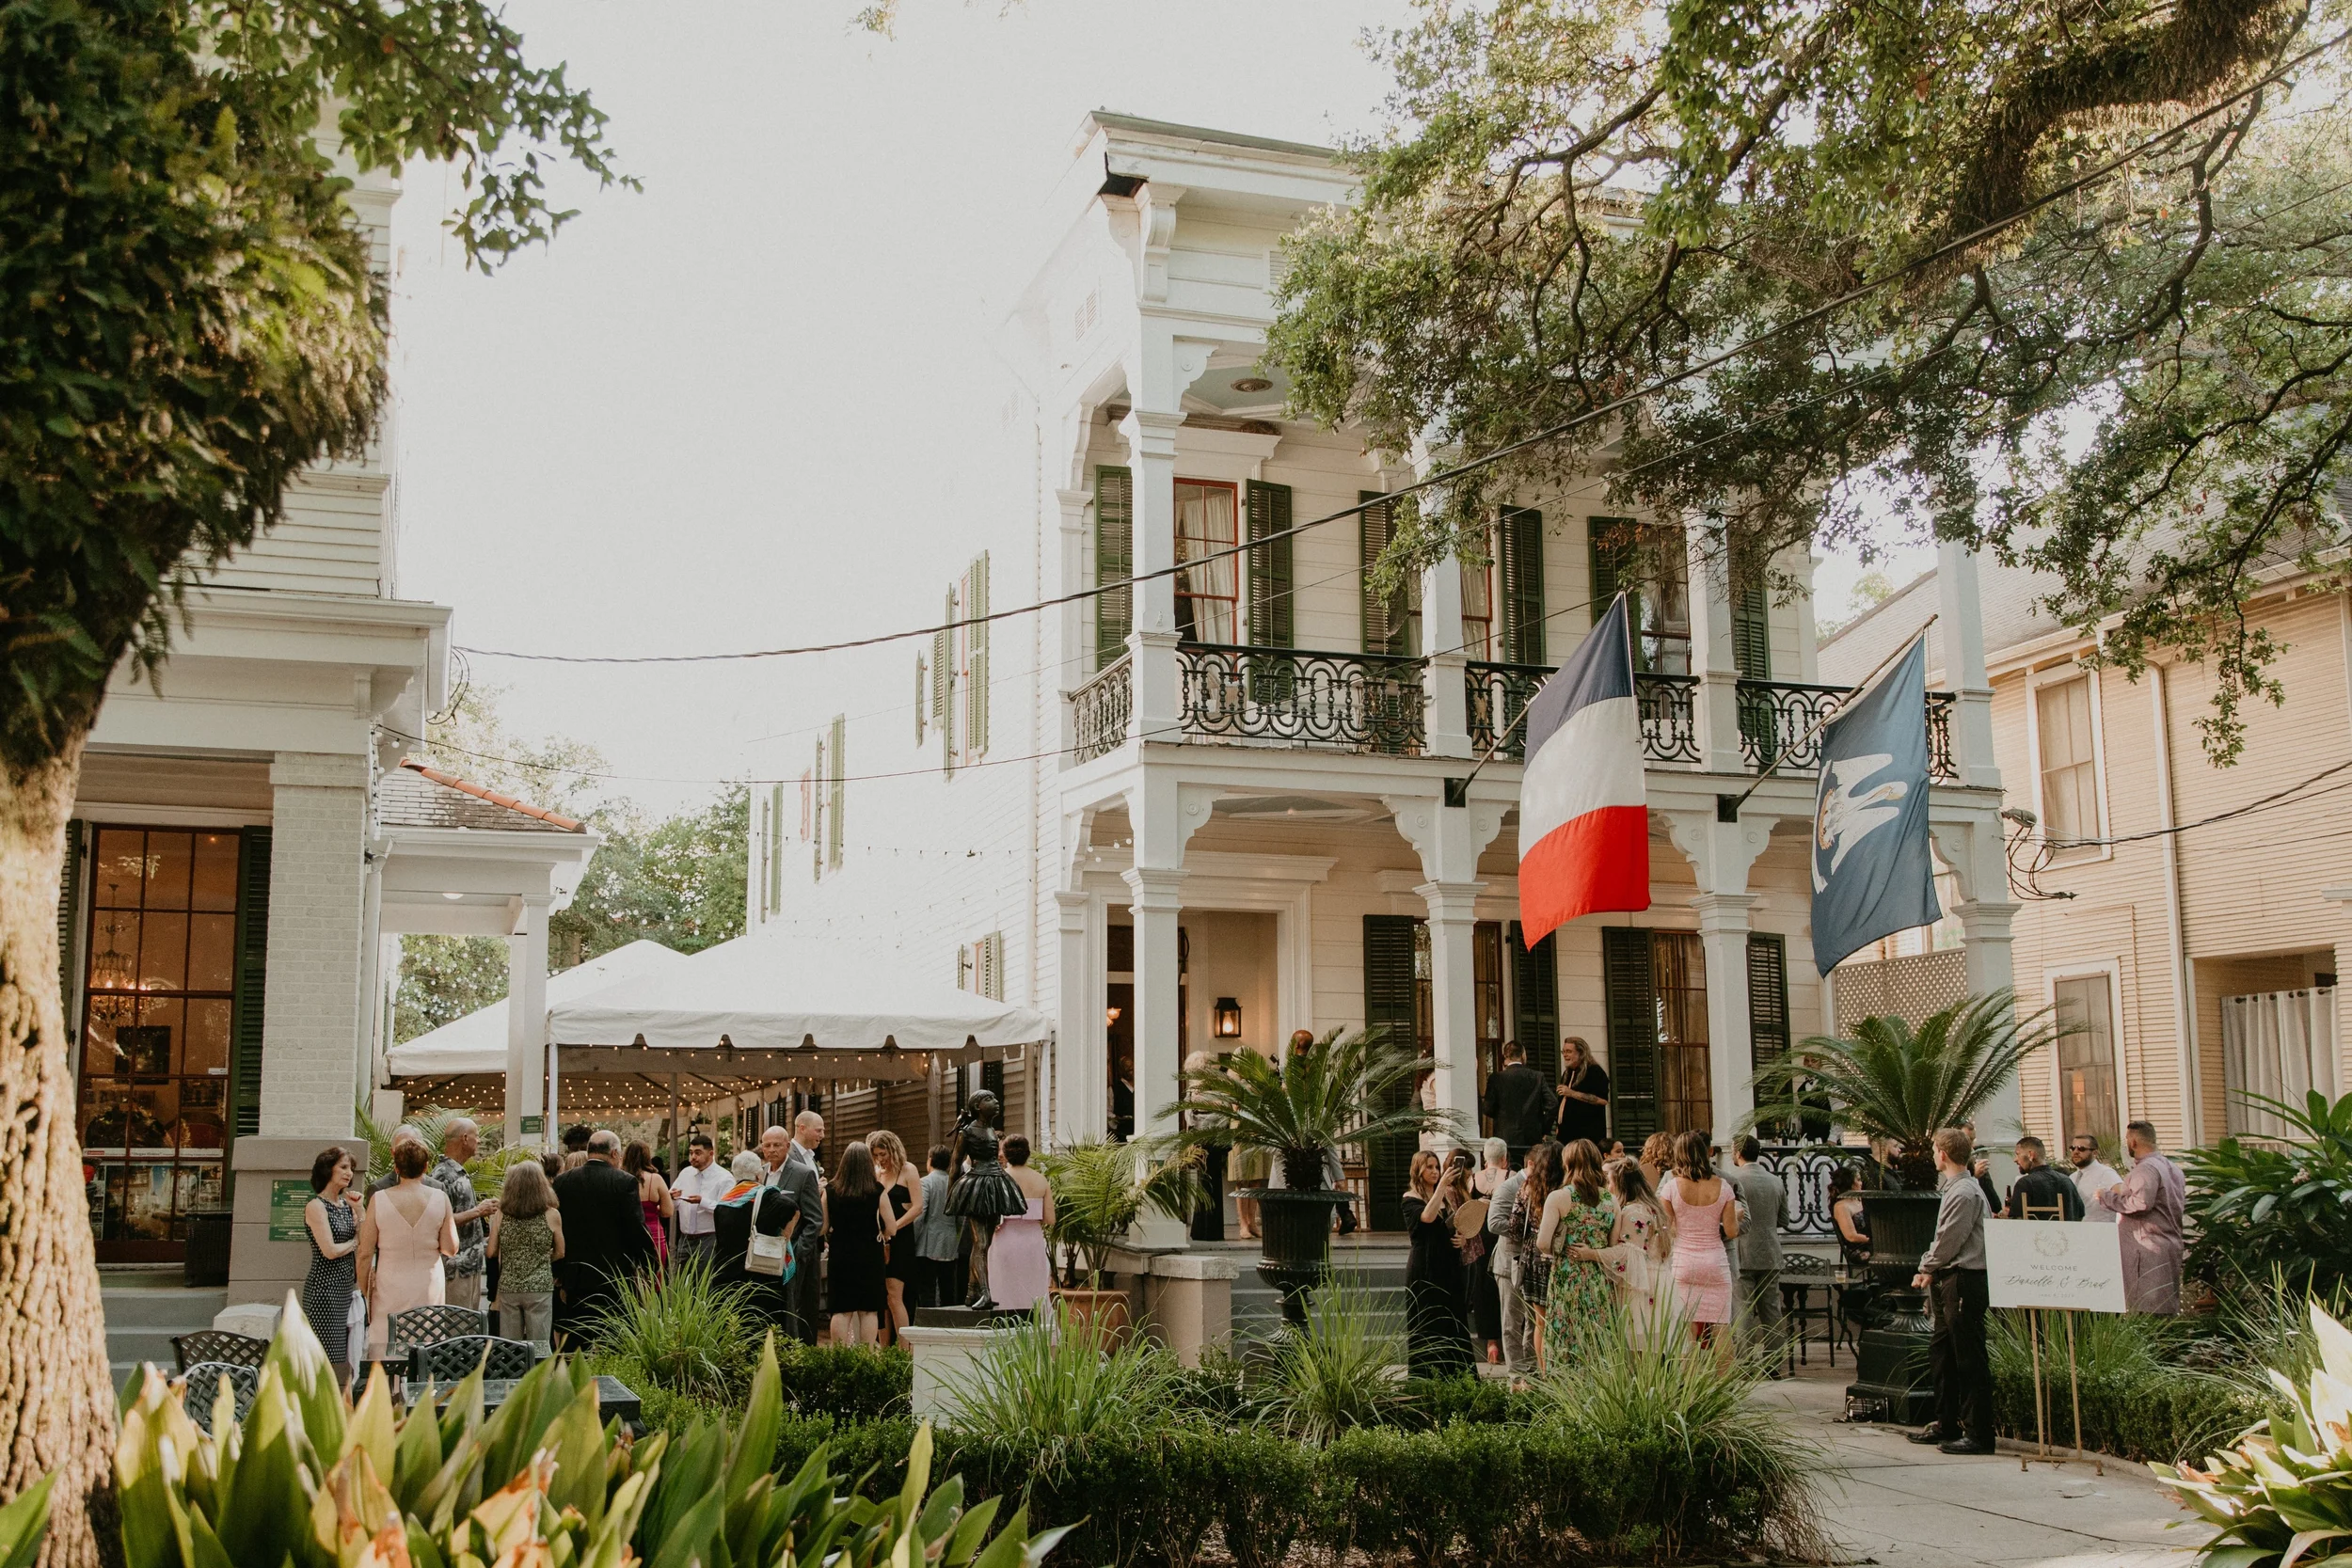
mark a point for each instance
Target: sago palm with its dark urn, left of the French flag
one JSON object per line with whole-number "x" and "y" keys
{"x": 1342, "y": 1092}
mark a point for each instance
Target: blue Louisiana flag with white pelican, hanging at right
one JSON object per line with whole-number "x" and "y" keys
{"x": 1871, "y": 866}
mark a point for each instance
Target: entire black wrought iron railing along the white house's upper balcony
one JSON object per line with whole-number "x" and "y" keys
{"x": 1379, "y": 704}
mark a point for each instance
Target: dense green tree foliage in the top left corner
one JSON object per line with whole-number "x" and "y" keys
{"x": 194, "y": 309}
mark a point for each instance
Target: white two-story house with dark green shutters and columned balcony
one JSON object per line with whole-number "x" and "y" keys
{"x": 1224, "y": 789}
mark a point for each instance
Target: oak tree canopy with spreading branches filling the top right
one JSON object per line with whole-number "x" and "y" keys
{"x": 2134, "y": 382}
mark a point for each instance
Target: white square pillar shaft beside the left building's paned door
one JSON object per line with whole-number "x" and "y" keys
{"x": 312, "y": 1019}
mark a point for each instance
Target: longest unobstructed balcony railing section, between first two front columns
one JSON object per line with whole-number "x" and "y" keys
{"x": 1358, "y": 702}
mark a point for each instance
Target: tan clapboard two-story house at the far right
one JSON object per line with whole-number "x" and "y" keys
{"x": 2186, "y": 920}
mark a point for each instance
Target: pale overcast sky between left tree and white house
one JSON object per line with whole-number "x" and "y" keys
{"x": 730, "y": 410}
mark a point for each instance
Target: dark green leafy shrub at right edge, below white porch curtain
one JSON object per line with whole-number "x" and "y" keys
{"x": 2259, "y": 1207}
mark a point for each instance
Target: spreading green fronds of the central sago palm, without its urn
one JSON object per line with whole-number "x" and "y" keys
{"x": 1342, "y": 1092}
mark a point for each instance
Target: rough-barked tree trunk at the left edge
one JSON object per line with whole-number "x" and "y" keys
{"x": 58, "y": 1400}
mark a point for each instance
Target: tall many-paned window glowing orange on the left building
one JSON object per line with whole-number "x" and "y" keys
{"x": 159, "y": 1000}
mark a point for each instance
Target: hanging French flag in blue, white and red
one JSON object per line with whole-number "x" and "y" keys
{"x": 1584, "y": 831}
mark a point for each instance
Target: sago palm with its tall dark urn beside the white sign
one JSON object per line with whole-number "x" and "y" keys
{"x": 1904, "y": 1085}
